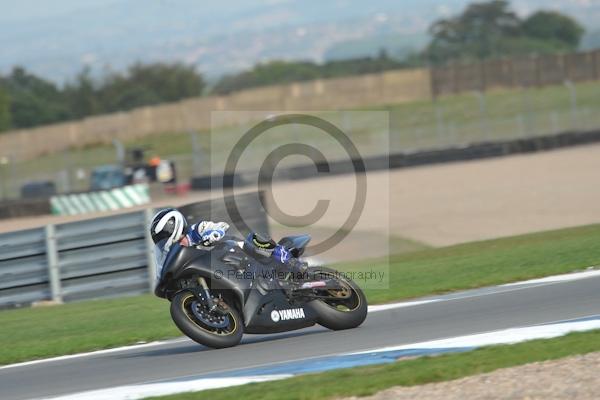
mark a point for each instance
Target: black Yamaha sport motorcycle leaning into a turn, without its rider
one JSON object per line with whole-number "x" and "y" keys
{"x": 217, "y": 295}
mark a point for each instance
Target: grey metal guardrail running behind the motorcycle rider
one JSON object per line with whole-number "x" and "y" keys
{"x": 95, "y": 258}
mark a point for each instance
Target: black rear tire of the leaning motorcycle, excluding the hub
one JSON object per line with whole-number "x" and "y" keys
{"x": 336, "y": 317}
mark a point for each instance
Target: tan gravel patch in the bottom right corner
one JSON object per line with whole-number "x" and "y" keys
{"x": 568, "y": 378}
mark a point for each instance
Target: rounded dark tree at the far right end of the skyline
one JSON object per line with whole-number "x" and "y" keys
{"x": 550, "y": 25}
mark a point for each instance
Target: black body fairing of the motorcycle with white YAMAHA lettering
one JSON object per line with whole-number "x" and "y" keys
{"x": 227, "y": 267}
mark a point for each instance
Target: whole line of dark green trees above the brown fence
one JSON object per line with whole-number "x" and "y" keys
{"x": 483, "y": 30}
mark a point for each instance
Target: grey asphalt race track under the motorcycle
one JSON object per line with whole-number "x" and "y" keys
{"x": 457, "y": 314}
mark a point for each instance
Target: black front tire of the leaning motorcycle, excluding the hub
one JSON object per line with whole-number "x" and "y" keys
{"x": 192, "y": 327}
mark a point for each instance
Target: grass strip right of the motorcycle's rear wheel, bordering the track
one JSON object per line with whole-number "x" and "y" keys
{"x": 484, "y": 263}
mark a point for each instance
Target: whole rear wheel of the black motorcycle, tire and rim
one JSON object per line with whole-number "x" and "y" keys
{"x": 344, "y": 308}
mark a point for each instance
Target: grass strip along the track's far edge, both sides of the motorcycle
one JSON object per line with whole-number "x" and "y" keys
{"x": 42, "y": 332}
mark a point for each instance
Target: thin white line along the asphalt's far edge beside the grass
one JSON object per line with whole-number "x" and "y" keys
{"x": 375, "y": 308}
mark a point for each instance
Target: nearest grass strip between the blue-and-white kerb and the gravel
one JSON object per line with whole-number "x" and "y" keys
{"x": 364, "y": 381}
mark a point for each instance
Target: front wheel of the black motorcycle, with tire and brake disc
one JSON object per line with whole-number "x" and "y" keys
{"x": 216, "y": 330}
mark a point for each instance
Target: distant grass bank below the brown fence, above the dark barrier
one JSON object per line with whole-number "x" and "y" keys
{"x": 455, "y": 119}
